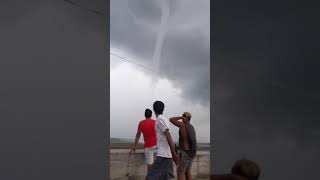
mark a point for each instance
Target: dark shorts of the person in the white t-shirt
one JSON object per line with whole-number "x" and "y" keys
{"x": 161, "y": 169}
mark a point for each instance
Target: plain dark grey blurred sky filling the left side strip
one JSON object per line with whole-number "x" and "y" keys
{"x": 53, "y": 90}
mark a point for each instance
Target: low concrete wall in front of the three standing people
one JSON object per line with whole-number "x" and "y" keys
{"x": 123, "y": 166}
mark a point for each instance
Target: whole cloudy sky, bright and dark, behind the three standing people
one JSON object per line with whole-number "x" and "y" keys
{"x": 183, "y": 79}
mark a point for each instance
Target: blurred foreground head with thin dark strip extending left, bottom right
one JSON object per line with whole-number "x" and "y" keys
{"x": 242, "y": 170}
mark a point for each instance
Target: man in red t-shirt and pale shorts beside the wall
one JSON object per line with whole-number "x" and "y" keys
{"x": 147, "y": 127}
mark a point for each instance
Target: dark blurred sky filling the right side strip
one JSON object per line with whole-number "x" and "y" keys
{"x": 266, "y": 86}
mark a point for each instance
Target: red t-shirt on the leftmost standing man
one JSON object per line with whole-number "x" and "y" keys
{"x": 148, "y": 130}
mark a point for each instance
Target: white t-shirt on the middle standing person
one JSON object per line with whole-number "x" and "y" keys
{"x": 163, "y": 148}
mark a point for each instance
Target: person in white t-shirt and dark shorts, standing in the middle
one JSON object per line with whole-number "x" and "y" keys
{"x": 162, "y": 167}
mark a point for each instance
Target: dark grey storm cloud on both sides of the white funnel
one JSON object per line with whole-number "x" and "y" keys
{"x": 185, "y": 55}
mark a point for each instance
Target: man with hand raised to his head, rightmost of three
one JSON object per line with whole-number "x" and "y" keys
{"x": 187, "y": 145}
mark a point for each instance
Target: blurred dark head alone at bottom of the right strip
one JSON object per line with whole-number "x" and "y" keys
{"x": 246, "y": 168}
